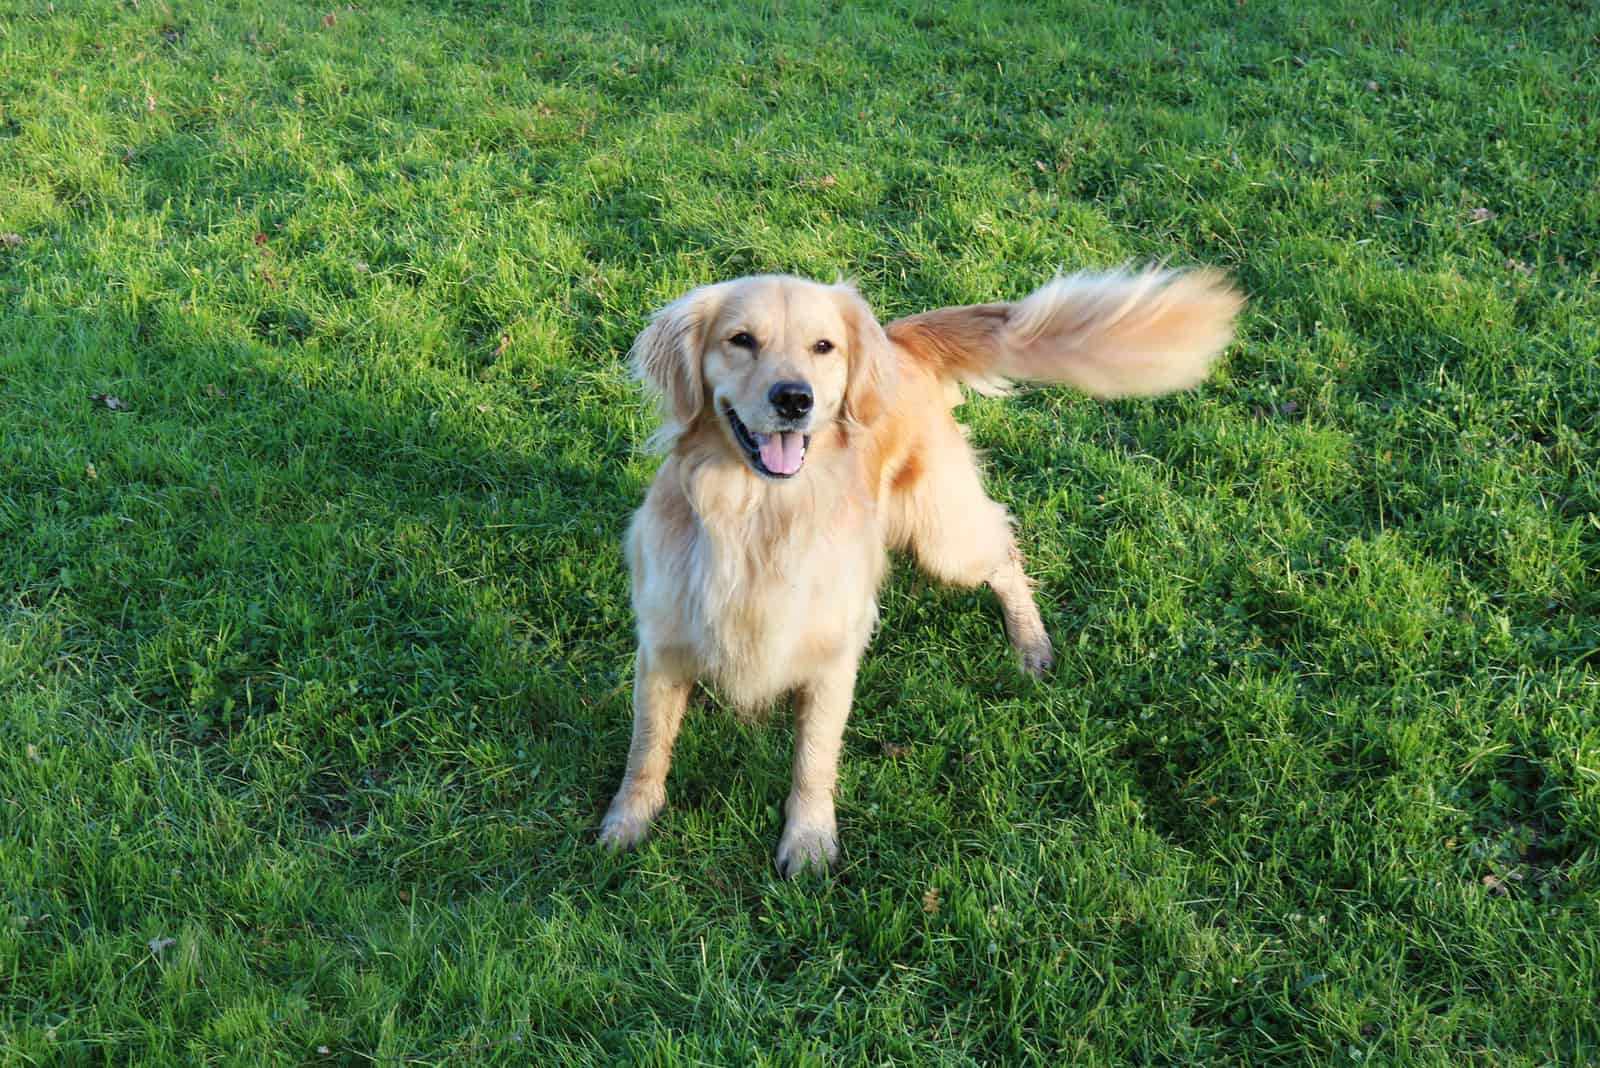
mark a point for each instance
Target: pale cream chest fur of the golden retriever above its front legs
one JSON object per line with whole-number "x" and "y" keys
{"x": 754, "y": 592}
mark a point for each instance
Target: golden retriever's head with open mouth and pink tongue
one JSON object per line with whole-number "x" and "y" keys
{"x": 772, "y": 361}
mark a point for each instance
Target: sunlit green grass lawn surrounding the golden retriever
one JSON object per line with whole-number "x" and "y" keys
{"x": 314, "y": 663}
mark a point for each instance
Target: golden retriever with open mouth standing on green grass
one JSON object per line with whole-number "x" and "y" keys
{"x": 804, "y": 440}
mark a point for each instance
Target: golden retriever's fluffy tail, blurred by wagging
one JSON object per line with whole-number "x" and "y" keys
{"x": 1110, "y": 335}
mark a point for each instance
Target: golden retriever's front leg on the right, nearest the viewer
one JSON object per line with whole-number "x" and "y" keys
{"x": 822, "y": 709}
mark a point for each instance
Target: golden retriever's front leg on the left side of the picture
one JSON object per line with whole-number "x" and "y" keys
{"x": 660, "y": 699}
